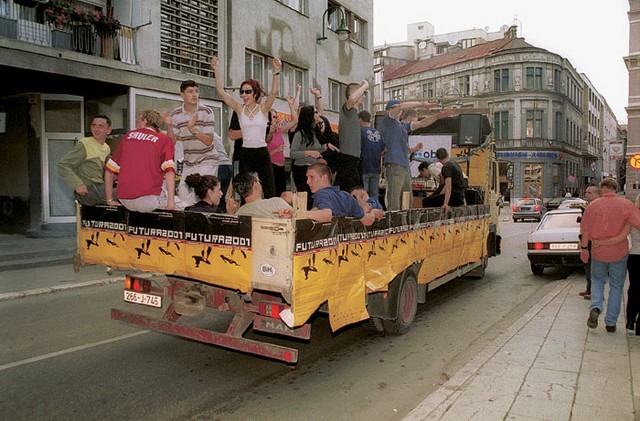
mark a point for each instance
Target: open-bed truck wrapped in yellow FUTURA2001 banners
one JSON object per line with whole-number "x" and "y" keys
{"x": 273, "y": 275}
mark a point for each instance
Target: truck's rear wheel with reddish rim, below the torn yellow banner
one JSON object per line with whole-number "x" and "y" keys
{"x": 405, "y": 293}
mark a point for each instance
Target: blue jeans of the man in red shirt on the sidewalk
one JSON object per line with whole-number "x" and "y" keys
{"x": 616, "y": 272}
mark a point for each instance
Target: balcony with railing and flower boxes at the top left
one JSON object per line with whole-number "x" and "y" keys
{"x": 26, "y": 24}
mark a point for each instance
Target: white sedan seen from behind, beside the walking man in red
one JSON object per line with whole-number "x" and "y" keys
{"x": 555, "y": 241}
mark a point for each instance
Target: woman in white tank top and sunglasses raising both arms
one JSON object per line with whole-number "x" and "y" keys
{"x": 253, "y": 117}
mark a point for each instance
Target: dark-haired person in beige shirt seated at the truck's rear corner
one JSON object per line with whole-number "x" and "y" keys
{"x": 248, "y": 186}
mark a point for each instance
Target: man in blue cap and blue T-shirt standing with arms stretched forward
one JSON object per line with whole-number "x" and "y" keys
{"x": 396, "y": 137}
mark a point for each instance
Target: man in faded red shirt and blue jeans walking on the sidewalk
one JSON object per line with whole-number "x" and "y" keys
{"x": 603, "y": 219}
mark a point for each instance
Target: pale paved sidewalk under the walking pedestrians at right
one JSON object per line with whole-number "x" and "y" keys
{"x": 547, "y": 366}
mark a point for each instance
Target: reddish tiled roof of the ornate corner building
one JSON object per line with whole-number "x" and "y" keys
{"x": 472, "y": 53}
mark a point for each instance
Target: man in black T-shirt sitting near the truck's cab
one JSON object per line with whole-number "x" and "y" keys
{"x": 454, "y": 184}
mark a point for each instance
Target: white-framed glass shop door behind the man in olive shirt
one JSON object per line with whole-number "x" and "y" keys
{"x": 62, "y": 126}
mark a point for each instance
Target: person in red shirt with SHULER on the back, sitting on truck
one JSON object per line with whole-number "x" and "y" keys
{"x": 143, "y": 161}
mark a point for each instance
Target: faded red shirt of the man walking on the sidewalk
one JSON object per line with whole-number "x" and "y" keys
{"x": 604, "y": 218}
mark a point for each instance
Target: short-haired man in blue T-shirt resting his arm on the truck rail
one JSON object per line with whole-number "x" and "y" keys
{"x": 330, "y": 201}
